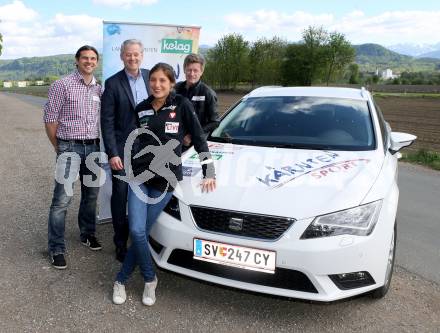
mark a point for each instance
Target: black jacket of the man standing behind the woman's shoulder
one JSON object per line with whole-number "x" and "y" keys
{"x": 204, "y": 100}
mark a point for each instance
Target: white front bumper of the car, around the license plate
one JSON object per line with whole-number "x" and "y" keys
{"x": 303, "y": 267}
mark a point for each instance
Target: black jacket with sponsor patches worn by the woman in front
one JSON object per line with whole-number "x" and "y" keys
{"x": 171, "y": 122}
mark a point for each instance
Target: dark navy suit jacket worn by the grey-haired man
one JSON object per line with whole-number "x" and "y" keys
{"x": 118, "y": 118}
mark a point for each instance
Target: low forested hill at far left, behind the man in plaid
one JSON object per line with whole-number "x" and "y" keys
{"x": 39, "y": 67}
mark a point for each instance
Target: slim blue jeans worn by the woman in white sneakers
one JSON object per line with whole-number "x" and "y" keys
{"x": 141, "y": 218}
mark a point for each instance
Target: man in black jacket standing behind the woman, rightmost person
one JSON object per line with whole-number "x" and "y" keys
{"x": 201, "y": 95}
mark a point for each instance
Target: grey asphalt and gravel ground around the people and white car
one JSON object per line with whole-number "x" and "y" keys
{"x": 36, "y": 298}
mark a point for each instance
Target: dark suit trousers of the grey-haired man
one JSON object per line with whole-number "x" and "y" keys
{"x": 119, "y": 210}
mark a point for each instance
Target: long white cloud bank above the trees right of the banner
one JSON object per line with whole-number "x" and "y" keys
{"x": 386, "y": 28}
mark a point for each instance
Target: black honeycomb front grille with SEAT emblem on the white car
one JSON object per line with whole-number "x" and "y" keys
{"x": 240, "y": 224}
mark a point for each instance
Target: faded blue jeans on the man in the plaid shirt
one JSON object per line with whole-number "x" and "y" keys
{"x": 69, "y": 168}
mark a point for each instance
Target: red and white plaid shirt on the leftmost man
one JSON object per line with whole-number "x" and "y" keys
{"x": 75, "y": 106}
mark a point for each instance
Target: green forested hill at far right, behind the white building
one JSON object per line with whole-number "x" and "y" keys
{"x": 374, "y": 56}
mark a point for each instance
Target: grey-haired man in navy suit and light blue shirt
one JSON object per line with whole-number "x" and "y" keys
{"x": 123, "y": 91}
